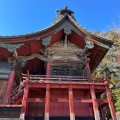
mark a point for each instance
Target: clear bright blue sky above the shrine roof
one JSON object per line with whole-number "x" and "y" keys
{"x": 19, "y": 17}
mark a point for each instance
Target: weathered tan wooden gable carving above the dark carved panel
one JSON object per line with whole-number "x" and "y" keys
{"x": 65, "y": 50}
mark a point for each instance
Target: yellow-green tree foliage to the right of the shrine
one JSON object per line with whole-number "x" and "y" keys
{"x": 110, "y": 66}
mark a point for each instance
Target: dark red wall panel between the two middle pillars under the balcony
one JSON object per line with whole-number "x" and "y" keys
{"x": 59, "y": 108}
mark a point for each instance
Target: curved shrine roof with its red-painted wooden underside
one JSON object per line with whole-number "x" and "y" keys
{"x": 33, "y": 42}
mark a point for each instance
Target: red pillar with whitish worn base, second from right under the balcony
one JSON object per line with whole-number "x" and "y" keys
{"x": 95, "y": 104}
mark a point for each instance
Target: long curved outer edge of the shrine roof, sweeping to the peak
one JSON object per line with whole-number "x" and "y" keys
{"x": 52, "y": 28}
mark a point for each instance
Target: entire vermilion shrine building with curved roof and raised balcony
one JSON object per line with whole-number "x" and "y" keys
{"x": 47, "y": 74}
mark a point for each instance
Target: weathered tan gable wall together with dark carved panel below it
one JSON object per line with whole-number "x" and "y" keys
{"x": 70, "y": 59}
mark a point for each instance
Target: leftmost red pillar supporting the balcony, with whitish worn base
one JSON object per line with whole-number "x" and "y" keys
{"x": 24, "y": 102}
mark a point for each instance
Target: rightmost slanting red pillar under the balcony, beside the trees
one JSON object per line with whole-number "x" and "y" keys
{"x": 111, "y": 106}
